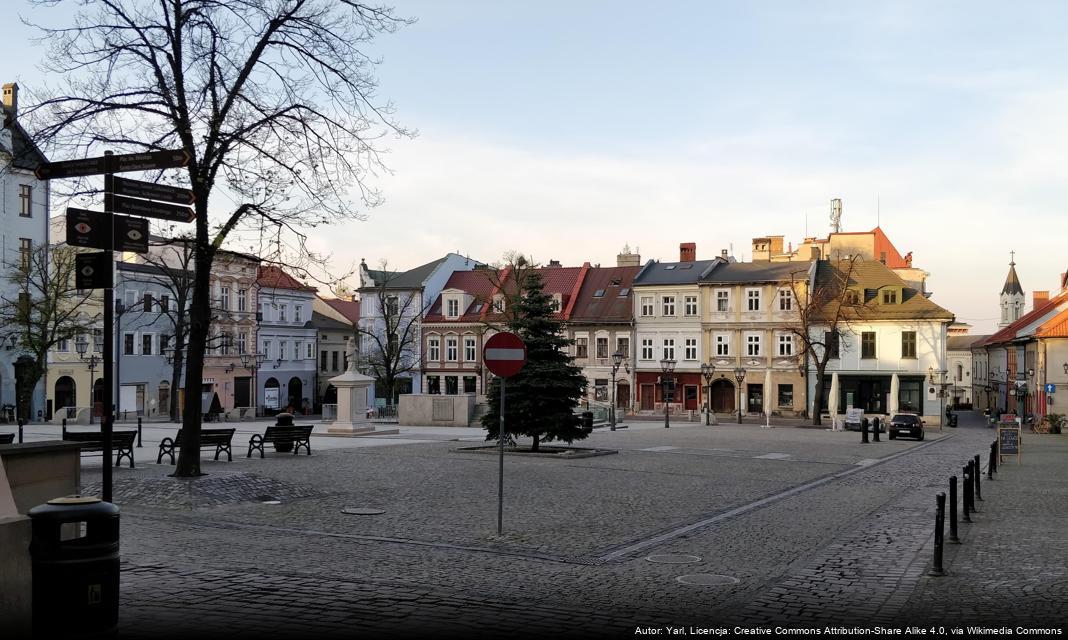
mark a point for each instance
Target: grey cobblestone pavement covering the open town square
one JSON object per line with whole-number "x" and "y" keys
{"x": 827, "y": 532}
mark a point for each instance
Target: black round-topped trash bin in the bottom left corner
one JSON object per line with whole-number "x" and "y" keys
{"x": 74, "y": 548}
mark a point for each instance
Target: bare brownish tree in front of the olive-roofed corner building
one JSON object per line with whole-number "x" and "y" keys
{"x": 825, "y": 305}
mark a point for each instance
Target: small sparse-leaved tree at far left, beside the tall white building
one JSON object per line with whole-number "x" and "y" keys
{"x": 44, "y": 308}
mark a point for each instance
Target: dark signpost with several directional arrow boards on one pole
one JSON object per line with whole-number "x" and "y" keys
{"x": 104, "y": 230}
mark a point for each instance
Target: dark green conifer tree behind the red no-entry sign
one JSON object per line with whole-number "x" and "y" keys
{"x": 541, "y": 399}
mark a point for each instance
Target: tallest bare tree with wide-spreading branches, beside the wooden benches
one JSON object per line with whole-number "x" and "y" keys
{"x": 273, "y": 100}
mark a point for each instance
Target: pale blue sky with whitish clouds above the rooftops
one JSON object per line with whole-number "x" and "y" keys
{"x": 568, "y": 131}
